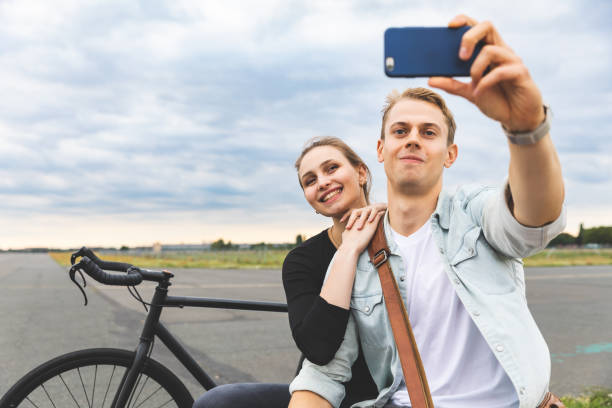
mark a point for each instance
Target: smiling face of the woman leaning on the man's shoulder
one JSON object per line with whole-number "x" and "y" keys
{"x": 331, "y": 184}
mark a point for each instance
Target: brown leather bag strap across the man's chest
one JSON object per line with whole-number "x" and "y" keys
{"x": 412, "y": 366}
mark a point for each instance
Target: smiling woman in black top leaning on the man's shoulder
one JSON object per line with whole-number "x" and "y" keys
{"x": 336, "y": 183}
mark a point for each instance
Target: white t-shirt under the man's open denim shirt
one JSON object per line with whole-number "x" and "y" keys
{"x": 461, "y": 369}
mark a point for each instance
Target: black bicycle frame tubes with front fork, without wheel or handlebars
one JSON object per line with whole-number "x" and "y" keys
{"x": 153, "y": 327}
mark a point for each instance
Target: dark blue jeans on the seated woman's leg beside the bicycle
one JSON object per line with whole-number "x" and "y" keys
{"x": 251, "y": 395}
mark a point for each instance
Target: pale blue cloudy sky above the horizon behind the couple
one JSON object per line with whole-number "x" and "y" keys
{"x": 130, "y": 122}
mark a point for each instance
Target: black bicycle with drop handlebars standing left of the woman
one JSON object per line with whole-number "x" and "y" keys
{"x": 122, "y": 378}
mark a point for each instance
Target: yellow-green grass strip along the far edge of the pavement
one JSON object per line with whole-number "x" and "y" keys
{"x": 273, "y": 258}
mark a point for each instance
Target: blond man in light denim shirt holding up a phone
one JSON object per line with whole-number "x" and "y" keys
{"x": 456, "y": 257}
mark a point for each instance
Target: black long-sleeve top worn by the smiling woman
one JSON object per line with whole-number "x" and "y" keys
{"x": 317, "y": 326}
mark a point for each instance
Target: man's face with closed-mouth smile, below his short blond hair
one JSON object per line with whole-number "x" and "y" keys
{"x": 415, "y": 149}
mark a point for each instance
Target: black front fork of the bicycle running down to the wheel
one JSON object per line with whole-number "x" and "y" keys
{"x": 130, "y": 377}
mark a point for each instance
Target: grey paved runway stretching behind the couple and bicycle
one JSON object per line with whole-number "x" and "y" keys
{"x": 42, "y": 315}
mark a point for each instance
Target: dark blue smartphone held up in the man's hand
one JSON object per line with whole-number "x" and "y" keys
{"x": 426, "y": 52}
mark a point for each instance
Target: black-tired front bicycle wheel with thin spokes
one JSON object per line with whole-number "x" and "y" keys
{"x": 48, "y": 384}
